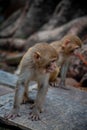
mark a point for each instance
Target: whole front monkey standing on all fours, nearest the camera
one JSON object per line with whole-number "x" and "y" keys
{"x": 36, "y": 65}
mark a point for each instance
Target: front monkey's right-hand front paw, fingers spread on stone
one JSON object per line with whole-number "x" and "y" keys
{"x": 34, "y": 115}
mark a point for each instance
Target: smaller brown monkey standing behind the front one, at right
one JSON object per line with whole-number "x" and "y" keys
{"x": 65, "y": 49}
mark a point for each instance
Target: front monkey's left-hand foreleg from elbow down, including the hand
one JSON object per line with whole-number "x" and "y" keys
{"x": 17, "y": 101}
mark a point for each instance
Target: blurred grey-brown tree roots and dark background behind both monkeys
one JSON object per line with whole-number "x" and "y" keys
{"x": 24, "y": 23}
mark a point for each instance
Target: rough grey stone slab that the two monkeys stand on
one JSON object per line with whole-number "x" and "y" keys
{"x": 64, "y": 110}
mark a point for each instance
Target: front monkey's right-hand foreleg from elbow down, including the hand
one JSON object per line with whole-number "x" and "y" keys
{"x": 37, "y": 107}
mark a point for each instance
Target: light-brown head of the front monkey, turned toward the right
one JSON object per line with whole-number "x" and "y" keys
{"x": 45, "y": 57}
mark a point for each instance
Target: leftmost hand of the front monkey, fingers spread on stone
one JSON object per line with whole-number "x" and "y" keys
{"x": 12, "y": 114}
